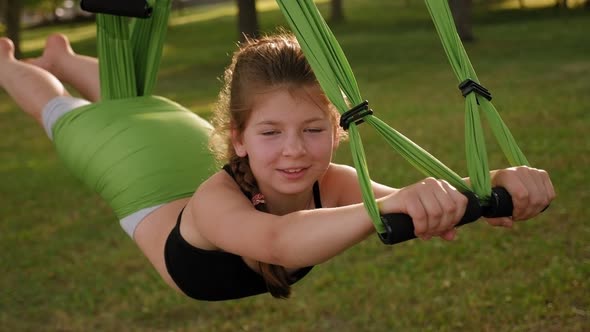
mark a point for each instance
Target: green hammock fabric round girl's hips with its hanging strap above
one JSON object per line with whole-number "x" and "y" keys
{"x": 134, "y": 149}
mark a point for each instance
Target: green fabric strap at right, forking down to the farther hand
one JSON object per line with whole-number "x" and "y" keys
{"x": 477, "y": 163}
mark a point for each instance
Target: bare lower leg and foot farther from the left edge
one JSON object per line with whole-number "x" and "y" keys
{"x": 80, "y": 71}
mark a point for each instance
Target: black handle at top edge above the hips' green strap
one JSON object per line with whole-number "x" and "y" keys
{"x": 129, "y": 8}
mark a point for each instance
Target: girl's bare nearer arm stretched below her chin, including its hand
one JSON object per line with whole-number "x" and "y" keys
{"x": 223, "y": 217}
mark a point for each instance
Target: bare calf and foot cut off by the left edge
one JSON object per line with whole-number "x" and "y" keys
{"x": 31, "y": 87}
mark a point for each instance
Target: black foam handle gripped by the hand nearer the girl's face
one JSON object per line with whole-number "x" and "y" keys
{"x": 399, "y": 226}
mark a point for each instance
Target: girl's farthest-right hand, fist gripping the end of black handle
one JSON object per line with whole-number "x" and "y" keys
{"x": 531, "y": 190}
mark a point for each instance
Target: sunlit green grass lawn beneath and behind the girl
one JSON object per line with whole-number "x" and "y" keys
{"x": 67, "y": 266}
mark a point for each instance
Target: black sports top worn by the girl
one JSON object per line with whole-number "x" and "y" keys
{"x": 214, "y": 275}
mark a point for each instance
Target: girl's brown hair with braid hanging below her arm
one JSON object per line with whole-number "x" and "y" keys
{"x": 258, "y": 66}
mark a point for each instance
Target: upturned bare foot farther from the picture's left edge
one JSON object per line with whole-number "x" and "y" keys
{"x": 57, "y": 48}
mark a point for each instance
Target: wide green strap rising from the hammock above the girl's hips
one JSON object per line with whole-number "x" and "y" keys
{"x": 130, "y": 51}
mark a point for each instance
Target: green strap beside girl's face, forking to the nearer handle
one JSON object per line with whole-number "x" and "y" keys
{"x": 336, "y": 78}
